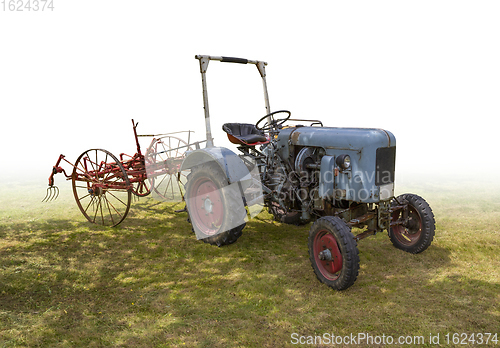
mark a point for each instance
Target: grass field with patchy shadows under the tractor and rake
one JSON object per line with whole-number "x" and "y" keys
{"x": 150, "y": 283}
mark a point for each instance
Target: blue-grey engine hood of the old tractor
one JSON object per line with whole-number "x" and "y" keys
{"x": 372, "y": 152}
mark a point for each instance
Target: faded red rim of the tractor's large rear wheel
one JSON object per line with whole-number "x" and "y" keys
{"x": 206, "y": 207}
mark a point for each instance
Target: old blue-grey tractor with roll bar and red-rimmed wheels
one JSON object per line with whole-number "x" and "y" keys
{"x": 301, "y": 171}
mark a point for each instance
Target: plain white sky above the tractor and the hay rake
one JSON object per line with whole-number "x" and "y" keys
{"x": 428, "y": 71}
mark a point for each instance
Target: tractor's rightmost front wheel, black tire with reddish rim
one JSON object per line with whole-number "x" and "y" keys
{"x": 417, "y": 233}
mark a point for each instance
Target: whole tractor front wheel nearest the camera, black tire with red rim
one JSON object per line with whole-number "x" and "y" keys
{"x": 332, "y": 235}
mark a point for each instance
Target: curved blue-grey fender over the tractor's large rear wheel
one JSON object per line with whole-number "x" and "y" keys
{"x": 230, "y": 163}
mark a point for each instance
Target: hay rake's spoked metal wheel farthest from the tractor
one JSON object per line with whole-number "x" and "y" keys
{"x": 101, "y": 187}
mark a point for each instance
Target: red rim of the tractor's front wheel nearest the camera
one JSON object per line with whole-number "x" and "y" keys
{"x": 330, "y": 268}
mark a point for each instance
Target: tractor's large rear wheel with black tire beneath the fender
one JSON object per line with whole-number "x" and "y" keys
{"x": 225, "y": 223}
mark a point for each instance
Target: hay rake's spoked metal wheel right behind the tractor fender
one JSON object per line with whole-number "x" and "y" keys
{"x": 163, "y": 161}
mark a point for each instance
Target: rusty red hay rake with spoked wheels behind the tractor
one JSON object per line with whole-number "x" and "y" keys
{"x": 103, "y": 185}
